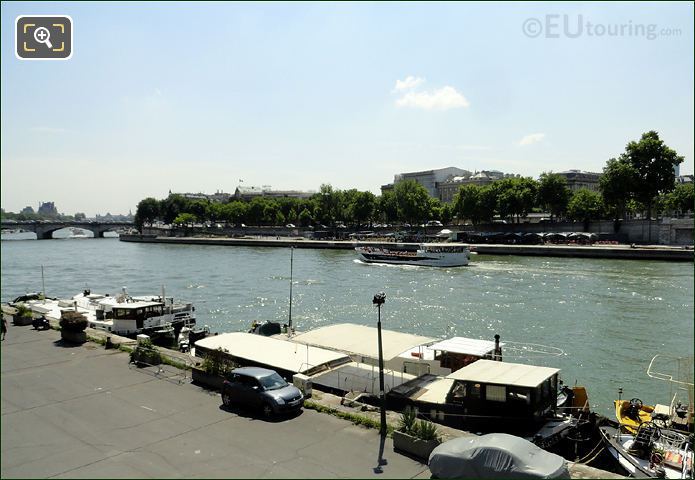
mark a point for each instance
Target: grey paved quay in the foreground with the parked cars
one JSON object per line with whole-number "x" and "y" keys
{"x": 83, "y": 412}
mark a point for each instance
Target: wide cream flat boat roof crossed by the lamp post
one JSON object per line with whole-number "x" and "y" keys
{"x": 361, "y": 340}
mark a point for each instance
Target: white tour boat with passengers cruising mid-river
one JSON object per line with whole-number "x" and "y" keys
{"x": 427, "y": 254}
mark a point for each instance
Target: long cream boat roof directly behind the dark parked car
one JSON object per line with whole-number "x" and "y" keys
{"x": 273, "y": 352}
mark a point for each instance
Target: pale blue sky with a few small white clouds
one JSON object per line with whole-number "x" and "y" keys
{"x": 198, "y": 97}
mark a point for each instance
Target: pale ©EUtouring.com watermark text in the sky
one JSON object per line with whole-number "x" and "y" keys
{"x": 575, "y": 26}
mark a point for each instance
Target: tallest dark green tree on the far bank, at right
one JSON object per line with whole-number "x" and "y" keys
{"x": 654, "y": 163}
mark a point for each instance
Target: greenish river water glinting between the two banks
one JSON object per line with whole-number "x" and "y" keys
{"x": 609, "y": 317}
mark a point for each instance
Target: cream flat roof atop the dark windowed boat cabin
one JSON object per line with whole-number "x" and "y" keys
{"x": 504, "y": 373}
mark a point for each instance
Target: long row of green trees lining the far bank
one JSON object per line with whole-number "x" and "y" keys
{"x": 641, "y": 179}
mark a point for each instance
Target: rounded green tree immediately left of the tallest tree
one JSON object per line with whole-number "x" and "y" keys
{"x": 617, "y": 185}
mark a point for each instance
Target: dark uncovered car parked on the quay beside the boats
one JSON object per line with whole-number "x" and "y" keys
{"x": 261, "y": 388}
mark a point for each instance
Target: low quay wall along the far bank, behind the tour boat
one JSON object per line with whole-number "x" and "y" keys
{"x": 626, "y": 252}
